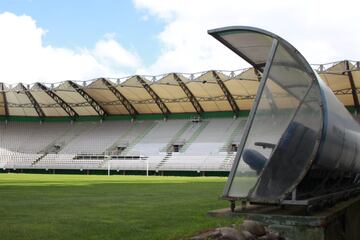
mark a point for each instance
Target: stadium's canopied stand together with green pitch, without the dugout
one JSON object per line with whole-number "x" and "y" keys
{"x": 174, "y": 124}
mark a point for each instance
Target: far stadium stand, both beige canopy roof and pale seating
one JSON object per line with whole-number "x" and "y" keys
{"x": 172, "y": 122}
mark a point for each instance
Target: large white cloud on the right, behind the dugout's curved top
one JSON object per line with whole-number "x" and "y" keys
{"x": 323, "y": 31}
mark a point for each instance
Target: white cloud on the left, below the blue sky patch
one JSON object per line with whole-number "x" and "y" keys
{"x": 25, "y": 58}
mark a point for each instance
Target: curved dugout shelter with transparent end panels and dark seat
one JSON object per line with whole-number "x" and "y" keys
{"x": 299, "y": 142}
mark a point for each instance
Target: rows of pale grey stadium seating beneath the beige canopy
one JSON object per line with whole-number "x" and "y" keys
{"x": 90, "y": 145}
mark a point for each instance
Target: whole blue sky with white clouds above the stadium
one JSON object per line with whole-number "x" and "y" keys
{"x": 51, "y": 41}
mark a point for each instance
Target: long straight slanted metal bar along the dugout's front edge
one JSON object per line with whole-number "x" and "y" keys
{"x": 251, "y": 118}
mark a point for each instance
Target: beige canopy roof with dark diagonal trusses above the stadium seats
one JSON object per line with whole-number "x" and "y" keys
{"x": 210, "y": 91}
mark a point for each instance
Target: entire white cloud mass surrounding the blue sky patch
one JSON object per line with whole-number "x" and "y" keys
{"x": 321, "y": 30}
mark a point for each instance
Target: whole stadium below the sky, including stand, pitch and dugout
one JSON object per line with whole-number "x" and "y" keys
{"x": 281, "y": 131}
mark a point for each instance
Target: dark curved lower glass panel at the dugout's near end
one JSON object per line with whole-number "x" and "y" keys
{"x": 294, "y": 150}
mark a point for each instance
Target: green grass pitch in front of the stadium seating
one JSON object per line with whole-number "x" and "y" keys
{"x": 51, "y": 207}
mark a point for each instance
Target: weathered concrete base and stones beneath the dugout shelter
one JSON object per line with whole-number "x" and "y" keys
{"x": 340, "y": 222}
